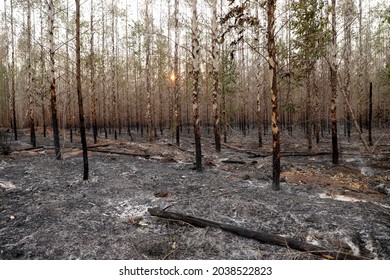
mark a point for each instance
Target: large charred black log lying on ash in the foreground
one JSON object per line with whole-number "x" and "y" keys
{"x": 263, "y": 237}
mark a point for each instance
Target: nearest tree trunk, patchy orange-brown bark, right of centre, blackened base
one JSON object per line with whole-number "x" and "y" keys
{"x": 272, "y": 63}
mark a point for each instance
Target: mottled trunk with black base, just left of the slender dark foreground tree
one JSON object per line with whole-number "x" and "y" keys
{"x": 53, "y": 95}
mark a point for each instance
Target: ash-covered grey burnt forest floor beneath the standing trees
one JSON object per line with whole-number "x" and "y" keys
{"x": 48, "y": 212}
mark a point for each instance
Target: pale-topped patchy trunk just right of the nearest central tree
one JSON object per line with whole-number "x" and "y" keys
{"x": 215, "y": 55}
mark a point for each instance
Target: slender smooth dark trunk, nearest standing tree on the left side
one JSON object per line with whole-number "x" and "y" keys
{"x": 79, "y": 94}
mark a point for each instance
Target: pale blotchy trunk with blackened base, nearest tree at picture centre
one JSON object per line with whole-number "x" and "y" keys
{"x": 195, "y": 93}
